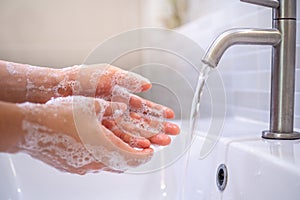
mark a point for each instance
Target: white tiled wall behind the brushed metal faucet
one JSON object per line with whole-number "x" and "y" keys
{"x": 245, "y": 69}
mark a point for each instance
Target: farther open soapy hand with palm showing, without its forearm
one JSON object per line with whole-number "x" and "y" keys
{"x": 145, "y": 120}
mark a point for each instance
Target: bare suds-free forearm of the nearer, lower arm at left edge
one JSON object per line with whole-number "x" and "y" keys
{"x": 11, "y": 118}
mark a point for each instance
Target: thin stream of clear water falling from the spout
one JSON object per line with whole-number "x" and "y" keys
{"x": 203, "y": 75}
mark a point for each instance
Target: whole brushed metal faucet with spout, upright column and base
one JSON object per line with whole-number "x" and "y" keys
{"x": 282, "y": 36}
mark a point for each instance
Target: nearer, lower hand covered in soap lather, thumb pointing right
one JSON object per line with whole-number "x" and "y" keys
{"x": 67, "y": 133}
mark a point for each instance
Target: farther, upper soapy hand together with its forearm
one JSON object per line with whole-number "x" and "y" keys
{"x": 142, "y": 124}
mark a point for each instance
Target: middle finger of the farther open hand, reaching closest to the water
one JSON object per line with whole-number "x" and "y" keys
{"x": 168, "y": 127}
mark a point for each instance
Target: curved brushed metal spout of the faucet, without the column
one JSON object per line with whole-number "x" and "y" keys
{"x": 239, "y": 36}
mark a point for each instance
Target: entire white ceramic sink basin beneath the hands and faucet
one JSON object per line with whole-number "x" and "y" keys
{"x": 255, "y": 168}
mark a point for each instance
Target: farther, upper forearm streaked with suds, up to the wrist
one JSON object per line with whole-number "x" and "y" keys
{"x": 20, "y": 83}
